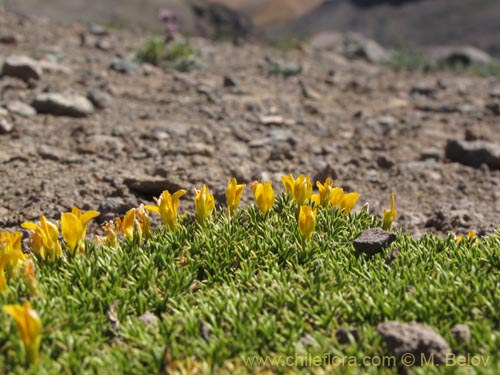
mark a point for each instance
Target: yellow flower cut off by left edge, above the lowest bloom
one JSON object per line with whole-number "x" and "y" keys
{"x": 11, "y": 256}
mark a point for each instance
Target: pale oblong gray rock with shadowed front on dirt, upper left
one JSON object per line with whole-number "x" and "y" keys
{"x": 63, "y": 104}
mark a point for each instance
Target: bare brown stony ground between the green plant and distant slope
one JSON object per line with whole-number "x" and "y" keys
{"x": 109, "y": 133}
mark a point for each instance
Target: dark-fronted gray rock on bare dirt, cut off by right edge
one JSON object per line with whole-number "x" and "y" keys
{"x": 474, "y": 153}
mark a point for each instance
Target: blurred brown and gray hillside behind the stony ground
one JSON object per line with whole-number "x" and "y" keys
{"x": 390, "y": 22}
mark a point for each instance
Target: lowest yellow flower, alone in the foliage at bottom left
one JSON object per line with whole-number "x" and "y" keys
{"x": 30, "y": 328}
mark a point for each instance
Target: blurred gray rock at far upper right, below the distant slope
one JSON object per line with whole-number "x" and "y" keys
{"x": 464, "y": 55}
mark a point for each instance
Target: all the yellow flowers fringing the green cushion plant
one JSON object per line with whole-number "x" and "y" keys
{"x": 136, "y": 225}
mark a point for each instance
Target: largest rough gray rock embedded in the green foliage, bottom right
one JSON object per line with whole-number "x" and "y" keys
{"x": 416, "y": 339}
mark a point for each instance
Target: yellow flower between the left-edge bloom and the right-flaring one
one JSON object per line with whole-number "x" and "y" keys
{"x": 44, "y": 238}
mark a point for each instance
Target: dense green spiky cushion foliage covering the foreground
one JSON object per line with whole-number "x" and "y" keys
{"x": 232, "y": 289}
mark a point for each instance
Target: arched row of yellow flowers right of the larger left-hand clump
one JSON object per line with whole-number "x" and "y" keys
{"x": 136, "y": 223}
